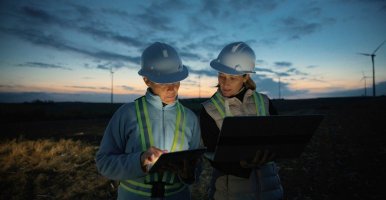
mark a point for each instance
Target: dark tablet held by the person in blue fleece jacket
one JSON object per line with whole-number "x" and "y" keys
{"x": 175, "y": 158}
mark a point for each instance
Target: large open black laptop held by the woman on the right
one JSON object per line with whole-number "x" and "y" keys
{"x": 285, "y": 136}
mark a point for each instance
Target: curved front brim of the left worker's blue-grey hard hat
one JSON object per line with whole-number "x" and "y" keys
{"x": 166, "y": 78}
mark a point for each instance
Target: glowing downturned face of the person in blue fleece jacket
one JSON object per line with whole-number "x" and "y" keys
{"x": 167, "y": 92}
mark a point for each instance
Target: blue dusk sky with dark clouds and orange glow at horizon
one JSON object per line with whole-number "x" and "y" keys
{"x": 64, "y": 50}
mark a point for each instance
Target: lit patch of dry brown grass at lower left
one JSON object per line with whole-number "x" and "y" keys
{"x": 48, "y": 169}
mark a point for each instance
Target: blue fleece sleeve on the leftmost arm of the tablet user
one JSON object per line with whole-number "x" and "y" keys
{"x": 111, "y": 159}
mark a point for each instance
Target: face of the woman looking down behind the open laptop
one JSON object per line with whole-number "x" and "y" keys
{"x": 230, "y": 85}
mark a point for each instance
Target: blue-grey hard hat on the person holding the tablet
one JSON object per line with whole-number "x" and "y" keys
{"x": 161, "y": 63}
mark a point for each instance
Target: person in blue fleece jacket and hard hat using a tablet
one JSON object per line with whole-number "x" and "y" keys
{"x": 139, "y": 132}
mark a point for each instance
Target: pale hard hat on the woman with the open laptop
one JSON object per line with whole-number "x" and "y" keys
{"x": 236, "y": 58}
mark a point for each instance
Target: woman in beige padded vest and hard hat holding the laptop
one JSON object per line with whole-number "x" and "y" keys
{"x": 236, "y": 96}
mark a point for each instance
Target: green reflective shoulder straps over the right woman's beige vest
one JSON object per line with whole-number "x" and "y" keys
{"x": 219, "y": 103}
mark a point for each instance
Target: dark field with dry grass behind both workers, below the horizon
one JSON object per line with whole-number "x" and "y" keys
{"x": 47, "y": 151}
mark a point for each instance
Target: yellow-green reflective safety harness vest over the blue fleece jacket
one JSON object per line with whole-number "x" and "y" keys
{"x": 172, "y": 183}
